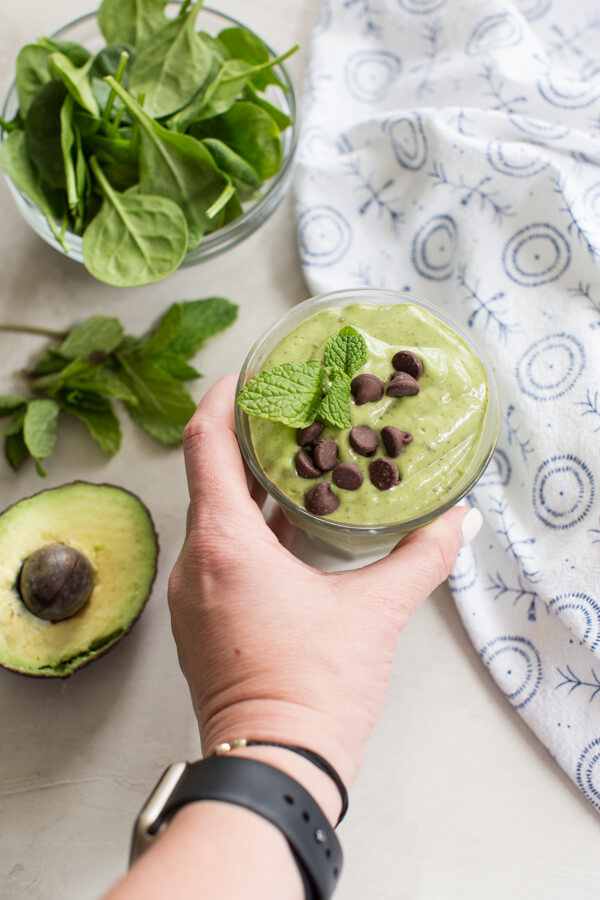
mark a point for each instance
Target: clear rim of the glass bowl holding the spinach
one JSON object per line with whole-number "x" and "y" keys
{"x": 238, "y": 229}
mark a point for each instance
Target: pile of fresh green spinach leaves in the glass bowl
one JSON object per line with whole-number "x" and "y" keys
{"x": 149, "y": 145}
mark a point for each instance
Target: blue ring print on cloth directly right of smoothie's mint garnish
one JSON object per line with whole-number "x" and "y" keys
{"x": 551, "y": 367}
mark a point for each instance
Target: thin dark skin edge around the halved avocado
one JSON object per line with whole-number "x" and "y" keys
{"x": 112, "y": 640}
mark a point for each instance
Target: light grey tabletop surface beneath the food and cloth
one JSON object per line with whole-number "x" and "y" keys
{"x": 456, "y": 798}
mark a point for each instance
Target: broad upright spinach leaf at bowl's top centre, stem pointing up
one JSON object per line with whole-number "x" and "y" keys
{"x": 172, "y": 66}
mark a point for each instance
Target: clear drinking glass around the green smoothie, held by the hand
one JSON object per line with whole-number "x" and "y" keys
{"x": 359, "y": 540}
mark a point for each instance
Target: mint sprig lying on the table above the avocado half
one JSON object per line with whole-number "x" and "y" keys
{"x": 83, "y": 370}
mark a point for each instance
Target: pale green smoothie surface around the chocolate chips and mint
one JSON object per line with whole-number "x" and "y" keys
{"x": 445, "y": 418}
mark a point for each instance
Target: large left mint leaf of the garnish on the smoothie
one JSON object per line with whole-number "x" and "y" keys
{"x": 289, "y": 393}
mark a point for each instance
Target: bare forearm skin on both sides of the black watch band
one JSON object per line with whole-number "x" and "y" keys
{"x": 224, "y": 850}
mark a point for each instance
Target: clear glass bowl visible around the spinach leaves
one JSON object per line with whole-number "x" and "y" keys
{"x": 85, "y": 31}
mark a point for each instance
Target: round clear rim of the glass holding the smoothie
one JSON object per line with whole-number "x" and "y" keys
{"x": 344, "y": 297}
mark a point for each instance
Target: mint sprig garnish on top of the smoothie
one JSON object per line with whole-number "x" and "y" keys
{"x": 296, "y": 394}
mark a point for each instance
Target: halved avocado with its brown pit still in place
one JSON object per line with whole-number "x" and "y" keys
{"x": 51, "y": 545}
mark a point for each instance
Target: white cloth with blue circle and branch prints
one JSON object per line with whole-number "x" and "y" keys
{"x": 452, "y": 148}
